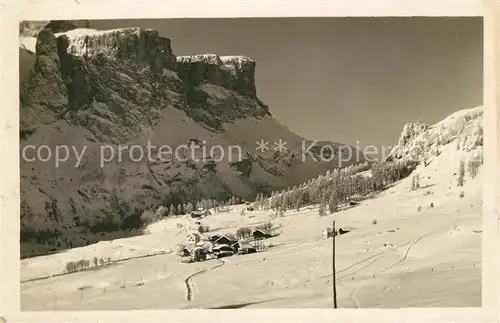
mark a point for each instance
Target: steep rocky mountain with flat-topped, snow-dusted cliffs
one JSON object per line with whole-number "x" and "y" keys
{"x": 88, "y": 94}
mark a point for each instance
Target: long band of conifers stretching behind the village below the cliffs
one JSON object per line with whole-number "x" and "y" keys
{"x": 335, "y": 187}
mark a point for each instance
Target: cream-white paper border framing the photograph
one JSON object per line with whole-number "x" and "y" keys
{"x": 18, "y": 11}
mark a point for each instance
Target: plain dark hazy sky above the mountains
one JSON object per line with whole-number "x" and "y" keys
{"x": 345, "y": 79}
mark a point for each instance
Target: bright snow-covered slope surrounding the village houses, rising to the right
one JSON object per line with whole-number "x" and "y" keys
{"x": 408, "y": 245}
